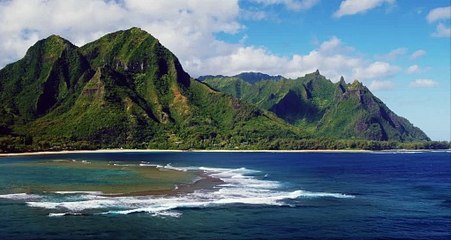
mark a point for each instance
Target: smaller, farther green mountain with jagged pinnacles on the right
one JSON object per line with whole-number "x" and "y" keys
{"x": 322, "y": 108}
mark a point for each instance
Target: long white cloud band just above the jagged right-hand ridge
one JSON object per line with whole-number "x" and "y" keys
{"x": 332, "y": 58}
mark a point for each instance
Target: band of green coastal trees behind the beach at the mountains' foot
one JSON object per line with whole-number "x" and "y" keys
{"x": 24, "y": 144}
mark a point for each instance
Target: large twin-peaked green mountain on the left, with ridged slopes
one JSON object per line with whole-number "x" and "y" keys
{"x": 123, "y": 90}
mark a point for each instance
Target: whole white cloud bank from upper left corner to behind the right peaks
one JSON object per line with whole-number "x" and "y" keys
{"x": 187, "y": 28}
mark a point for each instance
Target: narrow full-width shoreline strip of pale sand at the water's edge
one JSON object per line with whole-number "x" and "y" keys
{"x": 38, "y": 153}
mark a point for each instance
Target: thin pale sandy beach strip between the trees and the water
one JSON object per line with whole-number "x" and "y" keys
{"x": 160, "y": 150}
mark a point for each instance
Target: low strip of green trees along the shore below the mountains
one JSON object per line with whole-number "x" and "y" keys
{"x": 212, "y": 141}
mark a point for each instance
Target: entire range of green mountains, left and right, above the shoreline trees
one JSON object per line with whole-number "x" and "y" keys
{"x": 127, "y": 89}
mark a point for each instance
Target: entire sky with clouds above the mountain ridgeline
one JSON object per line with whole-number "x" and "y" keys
{"x": 400, "y": 49}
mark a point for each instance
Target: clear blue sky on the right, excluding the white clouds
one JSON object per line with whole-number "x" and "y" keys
{"x": 400, "y": 28}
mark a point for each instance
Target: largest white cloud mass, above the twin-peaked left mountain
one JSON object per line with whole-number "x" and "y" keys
{"x": 186, "y": 27}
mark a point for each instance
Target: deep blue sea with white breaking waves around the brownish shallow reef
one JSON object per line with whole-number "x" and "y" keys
{"x": 283, "y": 196}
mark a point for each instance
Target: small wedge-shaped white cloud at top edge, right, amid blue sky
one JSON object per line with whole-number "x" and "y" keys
{"x": 352, "y": 7}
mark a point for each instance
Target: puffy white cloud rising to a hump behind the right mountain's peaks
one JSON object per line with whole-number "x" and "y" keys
{"x": 328, "y": 57}
